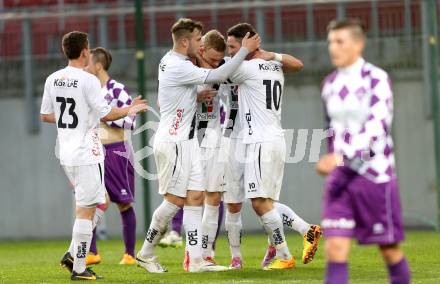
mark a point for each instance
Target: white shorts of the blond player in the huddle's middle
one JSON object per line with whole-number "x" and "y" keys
{"x": 213, "y": 168}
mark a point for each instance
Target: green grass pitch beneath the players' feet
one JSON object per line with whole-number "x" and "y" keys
{"x": 38, "y": 262}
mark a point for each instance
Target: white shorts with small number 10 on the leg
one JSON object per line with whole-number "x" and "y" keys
{"x": 264, "y": 170}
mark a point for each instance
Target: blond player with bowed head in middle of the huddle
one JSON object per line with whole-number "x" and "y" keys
{"x": 209, "y": 132}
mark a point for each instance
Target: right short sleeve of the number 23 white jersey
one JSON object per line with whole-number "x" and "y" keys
{"x": 92, "y": 93}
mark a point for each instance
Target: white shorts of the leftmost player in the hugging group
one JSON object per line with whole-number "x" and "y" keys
{"x": 179, "y": 167}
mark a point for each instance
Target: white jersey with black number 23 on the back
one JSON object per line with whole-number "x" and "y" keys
{"x": 75, "y": 97}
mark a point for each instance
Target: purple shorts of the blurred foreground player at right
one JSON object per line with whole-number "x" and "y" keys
{"x": 356, "y": 207}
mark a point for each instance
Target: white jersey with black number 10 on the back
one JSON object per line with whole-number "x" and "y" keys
{"x": 260, "y": 89}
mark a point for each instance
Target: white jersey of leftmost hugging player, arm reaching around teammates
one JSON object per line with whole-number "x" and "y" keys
{"x": 178, "y": 81}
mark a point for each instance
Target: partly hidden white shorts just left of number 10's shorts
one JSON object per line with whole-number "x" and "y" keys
{"x": 234, "y": 170}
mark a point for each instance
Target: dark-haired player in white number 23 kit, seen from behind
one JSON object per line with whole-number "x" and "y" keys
{"x": 72, "y": 100}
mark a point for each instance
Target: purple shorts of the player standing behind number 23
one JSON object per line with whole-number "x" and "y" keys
{"x": 119, "y": 173}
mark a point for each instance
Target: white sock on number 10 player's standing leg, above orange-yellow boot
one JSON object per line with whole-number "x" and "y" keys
{"x": 274, "y": 227}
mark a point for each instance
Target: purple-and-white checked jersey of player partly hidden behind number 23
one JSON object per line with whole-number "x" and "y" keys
{"x": 117, "y": 96}
